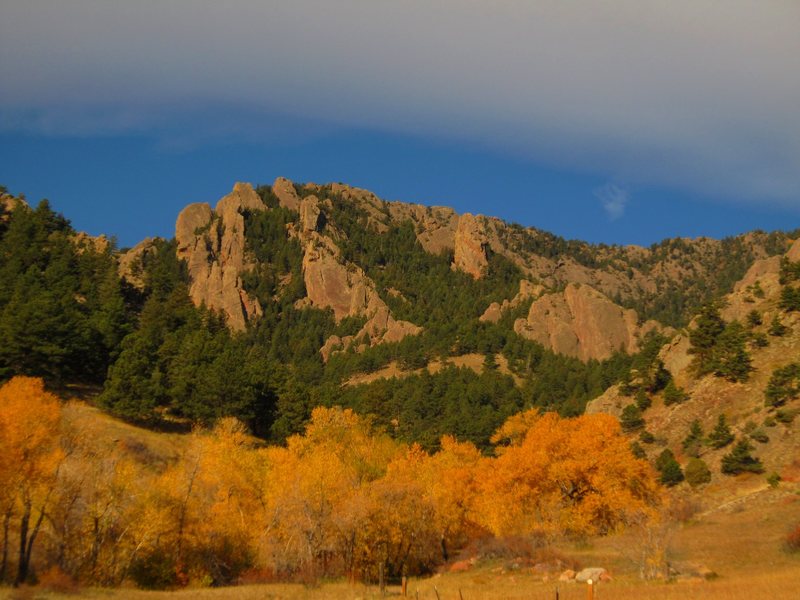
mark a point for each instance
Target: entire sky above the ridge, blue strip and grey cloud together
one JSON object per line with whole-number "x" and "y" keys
{"x": 616, "y": 122}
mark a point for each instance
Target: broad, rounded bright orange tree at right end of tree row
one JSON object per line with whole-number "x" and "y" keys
{"x": 563, "y": 476}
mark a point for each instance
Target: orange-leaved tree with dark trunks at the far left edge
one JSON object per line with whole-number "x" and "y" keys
{"x": 30, "y": 419}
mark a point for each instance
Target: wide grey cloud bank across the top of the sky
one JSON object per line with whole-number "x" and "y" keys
{"x": 701, "y": 95}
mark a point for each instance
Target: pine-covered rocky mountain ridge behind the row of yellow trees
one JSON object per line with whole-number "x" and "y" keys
{"x": 288, "y": 297}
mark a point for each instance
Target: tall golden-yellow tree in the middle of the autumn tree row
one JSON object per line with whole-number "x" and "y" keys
{"x": 318, "y": 483}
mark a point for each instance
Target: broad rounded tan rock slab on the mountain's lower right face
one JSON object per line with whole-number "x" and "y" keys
{"x": 581, "y": 322}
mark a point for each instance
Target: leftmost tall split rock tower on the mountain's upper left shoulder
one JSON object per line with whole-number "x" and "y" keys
{"x": 213, "y": 243}
